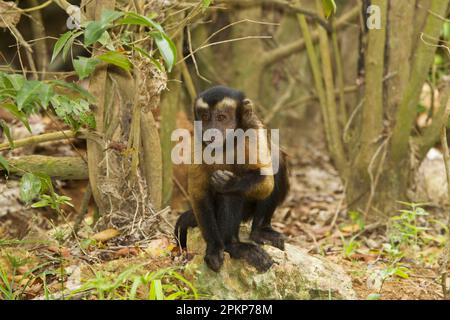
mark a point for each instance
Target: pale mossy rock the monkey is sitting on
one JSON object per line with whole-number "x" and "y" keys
{"x": 295, "y": 275}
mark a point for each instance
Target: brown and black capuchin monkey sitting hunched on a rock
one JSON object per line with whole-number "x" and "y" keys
{"x": 224, "y": 195}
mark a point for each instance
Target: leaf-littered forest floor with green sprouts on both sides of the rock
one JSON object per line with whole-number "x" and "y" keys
{"x": 38, "y": 260}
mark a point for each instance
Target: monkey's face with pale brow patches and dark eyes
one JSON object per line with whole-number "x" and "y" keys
{"x": 219, "y": 116}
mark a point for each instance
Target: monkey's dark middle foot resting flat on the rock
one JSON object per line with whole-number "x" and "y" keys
{"x": 253, "y": 254}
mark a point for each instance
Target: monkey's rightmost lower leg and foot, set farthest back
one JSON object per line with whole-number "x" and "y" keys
{"x": 262, "y": 231}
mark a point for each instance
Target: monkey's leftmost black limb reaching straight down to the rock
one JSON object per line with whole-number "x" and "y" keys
{"x": 206, "y": 216}
